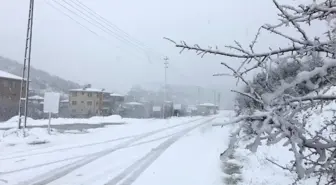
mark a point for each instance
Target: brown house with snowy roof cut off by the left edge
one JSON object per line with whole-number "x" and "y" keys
{"x": 10, "y": 86}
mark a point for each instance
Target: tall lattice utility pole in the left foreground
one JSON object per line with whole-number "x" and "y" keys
{"x": 26, "y": 66}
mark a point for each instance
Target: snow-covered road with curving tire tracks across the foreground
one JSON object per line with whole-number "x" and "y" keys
{"x": 176, "y": 151}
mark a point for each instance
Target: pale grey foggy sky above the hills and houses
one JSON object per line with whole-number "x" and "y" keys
{"x": 63, "y": 48}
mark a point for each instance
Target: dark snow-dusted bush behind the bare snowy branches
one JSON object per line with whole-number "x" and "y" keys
{"x": 268, "y": 81}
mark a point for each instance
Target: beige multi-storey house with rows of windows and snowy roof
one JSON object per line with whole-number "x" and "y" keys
{"x": 87, "y": 102}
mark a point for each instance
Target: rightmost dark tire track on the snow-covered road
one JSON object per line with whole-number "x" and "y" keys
{"x": 132, "y": 172}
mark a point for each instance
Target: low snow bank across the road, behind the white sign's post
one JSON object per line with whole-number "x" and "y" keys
{"x": 13, "y": 122}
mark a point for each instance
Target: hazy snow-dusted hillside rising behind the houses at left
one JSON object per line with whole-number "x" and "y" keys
{"x": 40, "y": 80}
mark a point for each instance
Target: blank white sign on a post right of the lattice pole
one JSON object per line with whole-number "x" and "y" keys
{"x": 51, "y": 102}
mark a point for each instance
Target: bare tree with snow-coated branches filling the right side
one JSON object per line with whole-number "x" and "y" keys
{"x": 313, "y": 153}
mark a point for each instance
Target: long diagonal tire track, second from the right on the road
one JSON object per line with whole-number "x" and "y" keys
{"x": 57, "y": 173}
